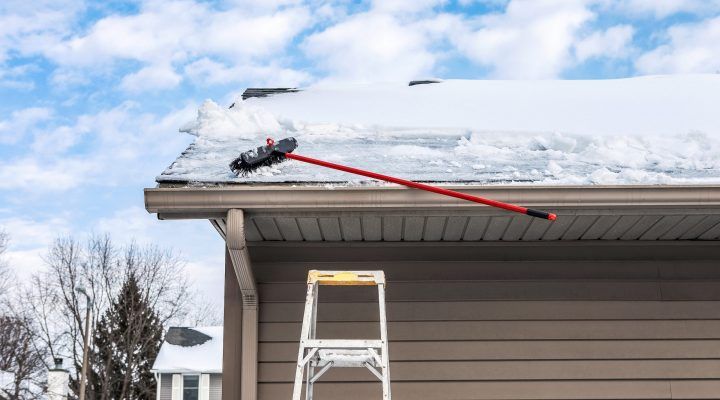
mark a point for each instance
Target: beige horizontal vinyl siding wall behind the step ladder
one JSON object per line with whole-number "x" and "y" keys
{"x": 571, "y": 329}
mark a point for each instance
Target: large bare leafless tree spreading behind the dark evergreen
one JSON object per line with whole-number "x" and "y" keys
{"x": 101, "y": 267}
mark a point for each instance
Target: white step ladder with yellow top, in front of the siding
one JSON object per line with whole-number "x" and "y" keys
{"x": 323, "y": 354}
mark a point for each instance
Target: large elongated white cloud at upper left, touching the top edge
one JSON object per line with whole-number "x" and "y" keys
{"x": 164, "y": 37}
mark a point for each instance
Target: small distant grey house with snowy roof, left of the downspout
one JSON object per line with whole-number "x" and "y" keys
{"x": 189, "y": 364}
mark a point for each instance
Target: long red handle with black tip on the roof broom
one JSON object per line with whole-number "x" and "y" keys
{"x": 429, "y": 188}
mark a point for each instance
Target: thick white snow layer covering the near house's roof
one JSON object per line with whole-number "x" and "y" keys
{"x": 646, "y": 130}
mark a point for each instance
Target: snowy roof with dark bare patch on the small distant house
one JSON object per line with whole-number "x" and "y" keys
{"x": 197, "y": 350}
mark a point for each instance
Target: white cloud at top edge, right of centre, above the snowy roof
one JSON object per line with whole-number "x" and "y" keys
{"x": 529, "y": 40}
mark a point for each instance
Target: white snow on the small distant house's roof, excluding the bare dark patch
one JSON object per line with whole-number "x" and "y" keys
{"x": 202, "y": 358}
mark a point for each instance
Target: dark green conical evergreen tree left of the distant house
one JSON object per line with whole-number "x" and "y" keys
{"x": 126, "y": 341}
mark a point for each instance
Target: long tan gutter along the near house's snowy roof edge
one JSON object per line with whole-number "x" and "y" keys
{"x": 214, "y": 202}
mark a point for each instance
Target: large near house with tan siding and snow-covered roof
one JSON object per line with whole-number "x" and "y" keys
{"x": 618, "y": 298}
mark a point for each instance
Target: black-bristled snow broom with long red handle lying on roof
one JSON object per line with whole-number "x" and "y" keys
{"x": 276, "y": 152}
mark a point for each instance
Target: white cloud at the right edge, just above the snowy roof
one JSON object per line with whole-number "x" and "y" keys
{"x": 693, "y": 47}
